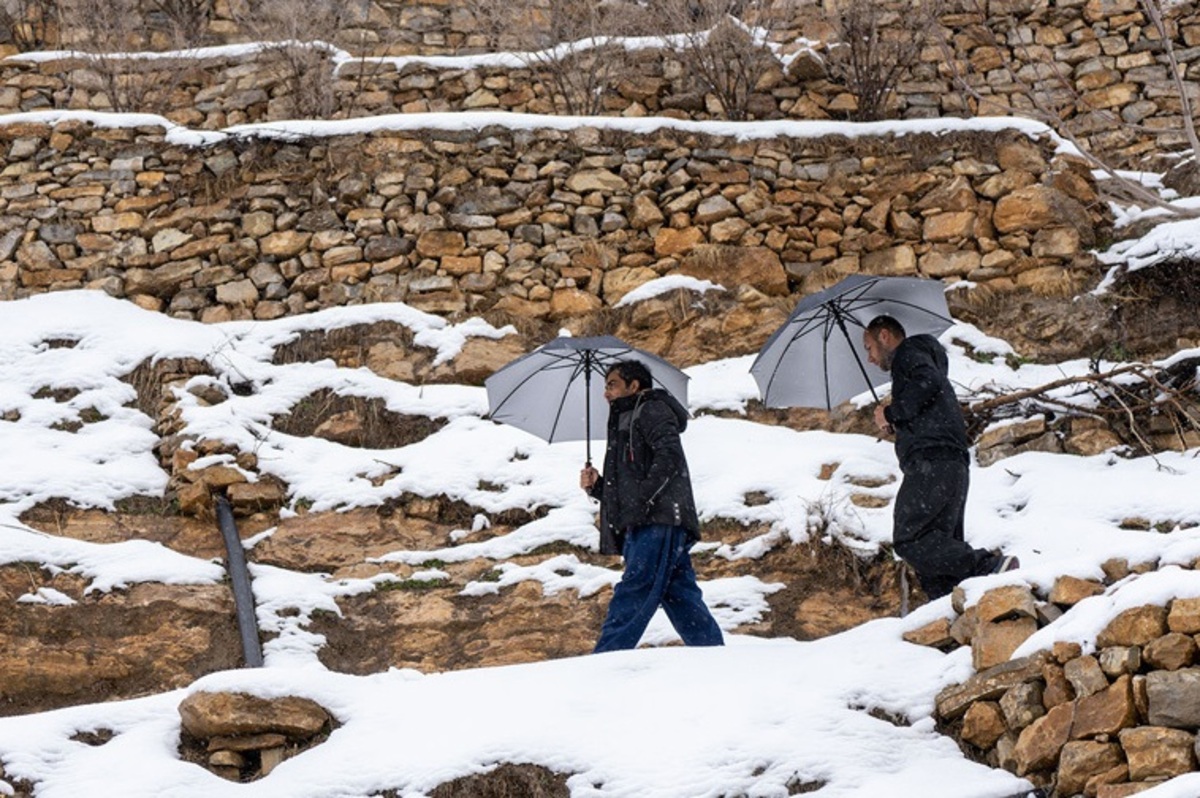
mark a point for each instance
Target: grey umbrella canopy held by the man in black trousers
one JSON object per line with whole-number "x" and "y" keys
{"x": 817, "y": 358}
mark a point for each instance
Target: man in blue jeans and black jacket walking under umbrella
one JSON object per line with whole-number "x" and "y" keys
{"x": 647, "y": 513}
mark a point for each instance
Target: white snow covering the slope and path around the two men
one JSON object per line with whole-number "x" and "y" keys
{"x": 748, "y": 719}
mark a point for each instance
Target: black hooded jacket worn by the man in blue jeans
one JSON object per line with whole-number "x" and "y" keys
{"x": 645, "y": 478}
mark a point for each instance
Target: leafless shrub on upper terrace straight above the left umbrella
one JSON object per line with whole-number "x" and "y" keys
{"x": 573, "y": 45}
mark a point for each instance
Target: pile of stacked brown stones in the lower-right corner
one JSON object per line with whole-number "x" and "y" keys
{"x": 1105, "y": 725}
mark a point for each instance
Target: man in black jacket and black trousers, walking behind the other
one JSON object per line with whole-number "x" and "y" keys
{"x": 933, "y": 449}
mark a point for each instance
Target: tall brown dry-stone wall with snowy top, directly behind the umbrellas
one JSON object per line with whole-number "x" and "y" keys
{"x": 536, "y": 224}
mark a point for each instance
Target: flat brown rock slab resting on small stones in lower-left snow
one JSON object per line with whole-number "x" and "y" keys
{"x": 232, "y": 715}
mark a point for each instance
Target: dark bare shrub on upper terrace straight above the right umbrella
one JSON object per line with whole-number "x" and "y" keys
{"x": 875, "y": 50}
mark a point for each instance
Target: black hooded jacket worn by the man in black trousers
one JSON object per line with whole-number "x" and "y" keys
{"x": 925, "y": 411}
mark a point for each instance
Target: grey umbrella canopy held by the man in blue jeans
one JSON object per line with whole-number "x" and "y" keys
{"x": 551, "y": 392}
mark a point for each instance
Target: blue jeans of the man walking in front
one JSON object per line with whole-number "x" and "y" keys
{"x": 658, "y": 572}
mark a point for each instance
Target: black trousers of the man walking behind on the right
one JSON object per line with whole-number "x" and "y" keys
{"x": 928, "y": 526}
